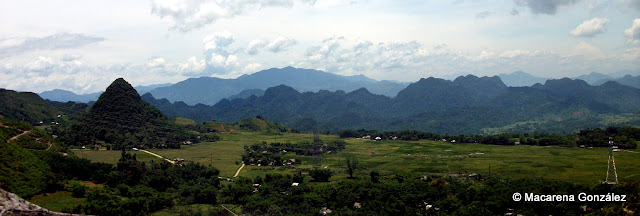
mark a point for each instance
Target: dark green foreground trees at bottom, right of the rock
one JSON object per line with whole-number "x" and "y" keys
{"x": 135, "y": 188}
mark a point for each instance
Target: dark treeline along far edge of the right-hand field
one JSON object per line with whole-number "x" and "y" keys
{"x": 623, "y": 137}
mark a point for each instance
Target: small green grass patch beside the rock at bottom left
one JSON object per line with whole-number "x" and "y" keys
{"x": 57, "y": 201}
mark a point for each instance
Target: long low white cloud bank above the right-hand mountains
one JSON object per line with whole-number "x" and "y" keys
{"x": 409, "y": 61}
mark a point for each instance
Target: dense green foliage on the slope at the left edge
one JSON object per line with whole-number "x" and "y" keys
{"x": 33, "y": 163}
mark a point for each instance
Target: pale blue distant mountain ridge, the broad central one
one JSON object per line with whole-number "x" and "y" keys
{"x": 210, "y": 90}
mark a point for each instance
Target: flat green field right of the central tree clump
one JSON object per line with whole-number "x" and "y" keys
{"x": 587, "y": 166}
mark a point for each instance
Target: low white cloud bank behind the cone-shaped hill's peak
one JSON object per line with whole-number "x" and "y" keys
{"x": 47, "y": 73}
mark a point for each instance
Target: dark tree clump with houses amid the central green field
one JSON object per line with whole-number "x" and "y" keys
{"x": 272, "y": 154}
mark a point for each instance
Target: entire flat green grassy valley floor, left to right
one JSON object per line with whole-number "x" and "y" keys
{"x": 578, "y": 165}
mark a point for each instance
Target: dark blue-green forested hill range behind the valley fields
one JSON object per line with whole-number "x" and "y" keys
{"x": 468, "y": 105}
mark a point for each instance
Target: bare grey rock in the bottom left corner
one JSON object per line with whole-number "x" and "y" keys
{"x": 11, "y": 204}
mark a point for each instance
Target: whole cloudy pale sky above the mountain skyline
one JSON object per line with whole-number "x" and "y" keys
{"x": 82, "y": 46}
